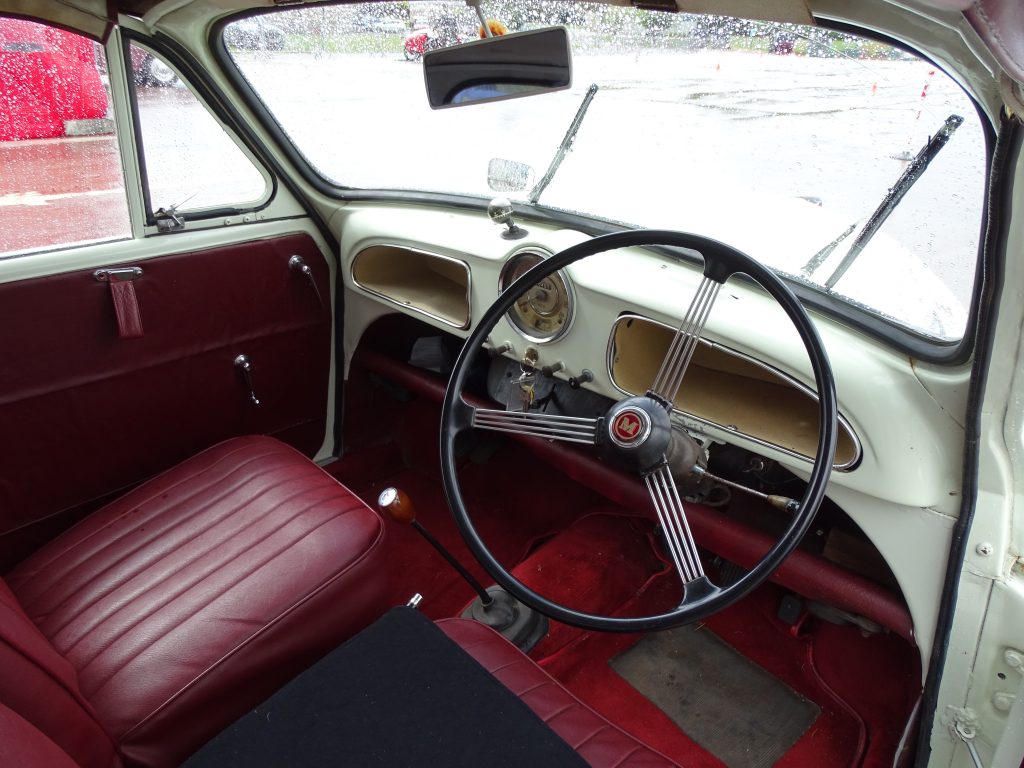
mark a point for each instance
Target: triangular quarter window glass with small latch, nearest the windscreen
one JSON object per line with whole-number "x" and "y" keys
{"x": 192, "y": 163}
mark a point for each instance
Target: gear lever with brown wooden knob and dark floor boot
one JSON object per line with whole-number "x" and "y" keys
{"x": 494, "y": 607}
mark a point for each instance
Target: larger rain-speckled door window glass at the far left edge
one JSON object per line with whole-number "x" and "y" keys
{"x": 61, "y": 177}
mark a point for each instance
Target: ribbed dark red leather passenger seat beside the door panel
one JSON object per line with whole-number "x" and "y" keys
{"x": 159, "y": 620}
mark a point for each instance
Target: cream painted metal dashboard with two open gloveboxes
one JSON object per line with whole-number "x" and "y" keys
{"x": 900, "y": 457}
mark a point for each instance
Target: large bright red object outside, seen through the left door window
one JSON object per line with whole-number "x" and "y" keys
{"x": 64, "y": 84}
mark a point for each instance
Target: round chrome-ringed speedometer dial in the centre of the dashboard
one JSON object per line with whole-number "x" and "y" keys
{"x": 545, "y": 312}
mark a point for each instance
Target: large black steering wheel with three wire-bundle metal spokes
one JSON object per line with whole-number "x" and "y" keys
{"x": 636, "y": 432}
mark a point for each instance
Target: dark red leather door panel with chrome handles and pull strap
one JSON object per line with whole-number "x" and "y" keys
{"x": 84, "y": 413}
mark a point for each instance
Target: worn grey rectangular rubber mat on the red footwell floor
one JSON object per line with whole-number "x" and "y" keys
{"x": 733, "y": 708}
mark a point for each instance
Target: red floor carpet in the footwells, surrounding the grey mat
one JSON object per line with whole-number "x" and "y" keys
{"x": 567, "y": 542}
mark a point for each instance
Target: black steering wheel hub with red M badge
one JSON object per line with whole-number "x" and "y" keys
{"x": 637, "y": 433}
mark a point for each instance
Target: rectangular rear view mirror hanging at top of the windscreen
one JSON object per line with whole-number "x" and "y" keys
{"x": 499, "y": 68}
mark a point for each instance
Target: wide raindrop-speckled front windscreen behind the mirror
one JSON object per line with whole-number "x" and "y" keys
{"x": 800, "y": 146}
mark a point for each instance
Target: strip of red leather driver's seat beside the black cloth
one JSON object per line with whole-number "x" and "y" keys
{"x": 600, "y": 743}
